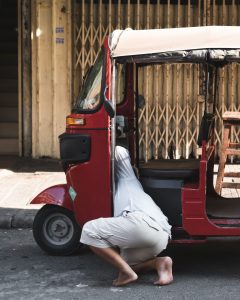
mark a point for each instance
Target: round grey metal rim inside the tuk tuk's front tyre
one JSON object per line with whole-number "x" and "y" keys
{"x": 58, "y": 229}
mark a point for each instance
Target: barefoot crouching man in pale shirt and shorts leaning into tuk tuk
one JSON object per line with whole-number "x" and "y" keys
{"x": 138, "y": 232}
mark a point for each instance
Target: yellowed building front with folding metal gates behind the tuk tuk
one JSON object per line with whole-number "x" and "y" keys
{"x": 47, "y": 47}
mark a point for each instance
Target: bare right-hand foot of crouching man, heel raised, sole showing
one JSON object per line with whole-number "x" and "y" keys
{"x": 164, "y": 270}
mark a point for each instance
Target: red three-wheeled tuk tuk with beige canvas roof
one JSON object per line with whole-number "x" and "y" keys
{"x": 182, "y": 188}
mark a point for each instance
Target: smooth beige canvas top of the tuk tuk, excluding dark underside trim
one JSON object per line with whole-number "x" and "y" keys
{"x": 136, "y": 42}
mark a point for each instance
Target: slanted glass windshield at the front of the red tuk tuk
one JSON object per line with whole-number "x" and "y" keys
{"x": 90, "y": 96}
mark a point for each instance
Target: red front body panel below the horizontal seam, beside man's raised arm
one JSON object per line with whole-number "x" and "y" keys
{"x": 92, "y": 181}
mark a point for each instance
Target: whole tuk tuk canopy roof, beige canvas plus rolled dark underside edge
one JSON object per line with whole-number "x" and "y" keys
{"x": 180, "y": 44}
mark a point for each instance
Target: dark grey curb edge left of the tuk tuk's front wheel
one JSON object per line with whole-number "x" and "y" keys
{"x": 16, "y": 218}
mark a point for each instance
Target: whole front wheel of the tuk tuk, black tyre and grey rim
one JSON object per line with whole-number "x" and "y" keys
{"x": 56, "y": 231}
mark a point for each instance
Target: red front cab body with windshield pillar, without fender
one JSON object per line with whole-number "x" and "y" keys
{"x": 92, "y": 180}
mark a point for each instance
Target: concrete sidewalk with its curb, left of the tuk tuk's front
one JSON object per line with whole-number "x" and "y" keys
{"x": 21, "y": 179}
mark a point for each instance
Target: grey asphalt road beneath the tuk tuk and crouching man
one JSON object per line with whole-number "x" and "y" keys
{"x": 203, "y": 271}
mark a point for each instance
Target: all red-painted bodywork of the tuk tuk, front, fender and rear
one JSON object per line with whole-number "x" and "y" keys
{"x": 92, "y": 180}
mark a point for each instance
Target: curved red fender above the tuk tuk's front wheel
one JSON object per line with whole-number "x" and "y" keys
{"x": 56, "y": 195}
